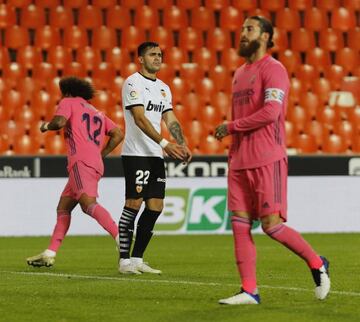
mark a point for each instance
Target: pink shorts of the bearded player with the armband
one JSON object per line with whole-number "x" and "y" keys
{"x": 260, "y": 191}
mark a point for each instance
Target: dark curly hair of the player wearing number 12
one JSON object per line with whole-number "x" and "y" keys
{"x": 73, "y": 86}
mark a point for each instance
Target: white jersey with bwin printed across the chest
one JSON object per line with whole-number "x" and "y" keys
{"x": 155, "y": 96}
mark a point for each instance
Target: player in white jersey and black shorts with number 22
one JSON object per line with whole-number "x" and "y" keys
{"x": 146, "y": 102}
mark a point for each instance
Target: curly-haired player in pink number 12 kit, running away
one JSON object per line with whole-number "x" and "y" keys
{"x": 85, "y": 129}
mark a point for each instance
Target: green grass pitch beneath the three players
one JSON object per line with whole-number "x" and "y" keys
{"x": 84, "y": 284}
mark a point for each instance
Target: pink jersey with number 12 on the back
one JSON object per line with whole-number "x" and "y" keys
{"x": 84, "y": 132}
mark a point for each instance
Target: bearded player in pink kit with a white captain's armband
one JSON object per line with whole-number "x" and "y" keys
{"x": 257, "y": 179}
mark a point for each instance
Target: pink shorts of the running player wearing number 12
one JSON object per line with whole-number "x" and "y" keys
{"x": 82, "y": 179}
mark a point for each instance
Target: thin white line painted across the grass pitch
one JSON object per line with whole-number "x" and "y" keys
{"x": 163, "y": 281}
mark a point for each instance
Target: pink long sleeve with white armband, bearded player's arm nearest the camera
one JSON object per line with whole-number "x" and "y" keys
{"x": 276, "y": 86}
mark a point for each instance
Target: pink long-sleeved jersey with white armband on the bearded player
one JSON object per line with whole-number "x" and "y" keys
{"x": 260, "y": 91}
